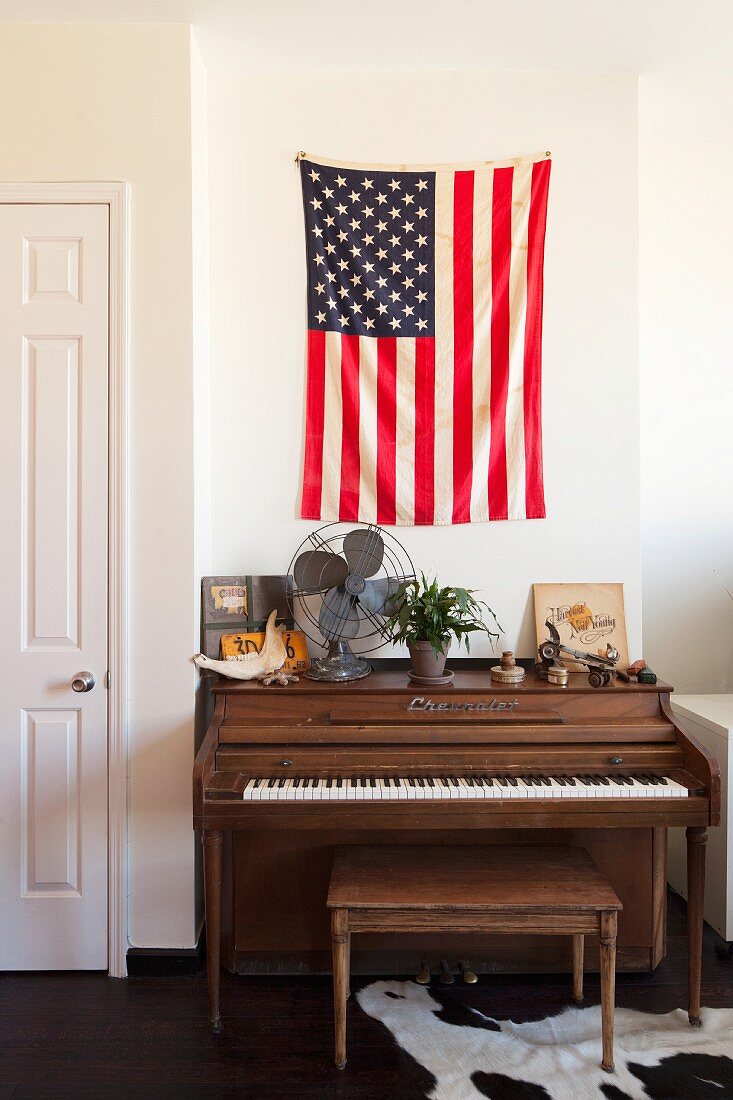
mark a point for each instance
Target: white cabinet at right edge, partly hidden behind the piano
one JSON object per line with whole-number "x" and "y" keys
{"x": 709, "y": 719}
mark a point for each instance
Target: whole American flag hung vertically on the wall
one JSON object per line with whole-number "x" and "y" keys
{"x": 424, "y": 365}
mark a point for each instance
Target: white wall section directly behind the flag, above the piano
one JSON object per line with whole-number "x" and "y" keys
{"x": 257, "y": 125}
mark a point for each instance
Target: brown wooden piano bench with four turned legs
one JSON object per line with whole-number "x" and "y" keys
{"x": 544, "y": 892}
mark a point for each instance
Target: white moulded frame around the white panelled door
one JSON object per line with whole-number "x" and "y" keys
{"x": 116, "y": 196}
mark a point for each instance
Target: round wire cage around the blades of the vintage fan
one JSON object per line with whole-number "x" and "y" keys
{"x": 331, "y": 538}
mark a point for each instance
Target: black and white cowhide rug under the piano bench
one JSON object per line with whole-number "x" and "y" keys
{"x": 556, "y": 1059}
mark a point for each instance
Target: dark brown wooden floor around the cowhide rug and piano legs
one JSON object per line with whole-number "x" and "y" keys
{"x": 87, "y": 1036}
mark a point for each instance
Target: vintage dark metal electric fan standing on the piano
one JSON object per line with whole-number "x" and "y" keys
{"x": 344, "y": 578}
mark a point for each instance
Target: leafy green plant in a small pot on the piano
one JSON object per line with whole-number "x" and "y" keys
{"x": 426, "y": 618}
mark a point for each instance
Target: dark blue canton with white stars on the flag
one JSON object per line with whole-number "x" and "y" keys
{"x": 370, "y": 246}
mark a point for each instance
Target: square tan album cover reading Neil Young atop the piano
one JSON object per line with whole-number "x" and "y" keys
{"x": 587, "y": 617}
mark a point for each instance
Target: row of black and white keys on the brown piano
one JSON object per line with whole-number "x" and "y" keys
{"x": 369, "y": 788}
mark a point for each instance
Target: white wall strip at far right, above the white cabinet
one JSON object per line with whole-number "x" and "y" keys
{"x": 686, "y": 245}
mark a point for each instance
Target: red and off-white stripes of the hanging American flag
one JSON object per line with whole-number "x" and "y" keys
{"x": 445, "y": 430}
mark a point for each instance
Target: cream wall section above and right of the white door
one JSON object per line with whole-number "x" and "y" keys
{"x": 114, "y": 103}
